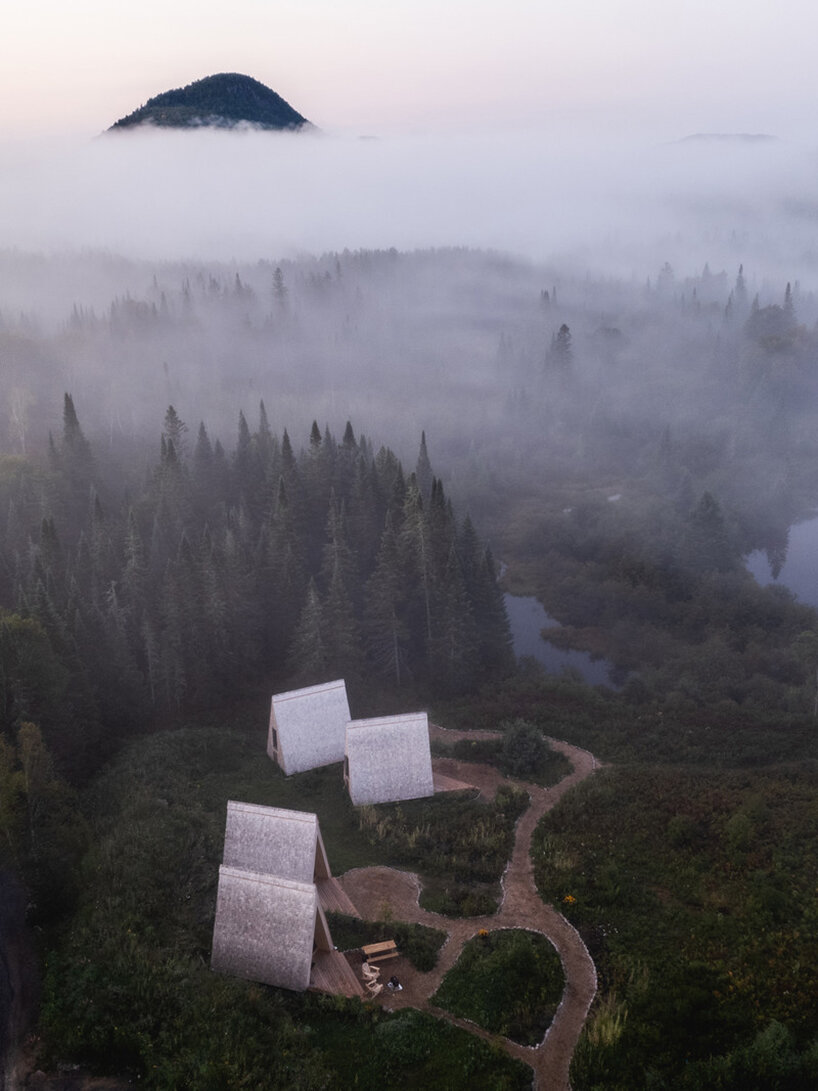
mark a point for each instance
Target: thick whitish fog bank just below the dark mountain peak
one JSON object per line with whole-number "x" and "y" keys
{"x": 617, "y": 206}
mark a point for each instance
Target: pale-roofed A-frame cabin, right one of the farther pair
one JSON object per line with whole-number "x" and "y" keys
{"x": 389, "y": 760}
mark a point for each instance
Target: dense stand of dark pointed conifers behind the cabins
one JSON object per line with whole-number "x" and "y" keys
{"x": 225, "y": 574}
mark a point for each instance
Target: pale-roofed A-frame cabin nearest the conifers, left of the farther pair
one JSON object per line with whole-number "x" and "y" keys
{"x": 308, "y": 727}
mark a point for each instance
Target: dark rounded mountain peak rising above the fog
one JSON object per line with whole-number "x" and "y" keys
{"x": 226, "y": 101}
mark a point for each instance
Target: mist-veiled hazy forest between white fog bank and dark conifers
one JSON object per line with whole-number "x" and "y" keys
{"x": 459, "y": 343}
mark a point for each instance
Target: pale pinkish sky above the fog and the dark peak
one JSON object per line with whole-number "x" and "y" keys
{"x": 670, "y": 67}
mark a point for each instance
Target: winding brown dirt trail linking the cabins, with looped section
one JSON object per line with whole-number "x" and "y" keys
{"x": 376, "y": 891}
